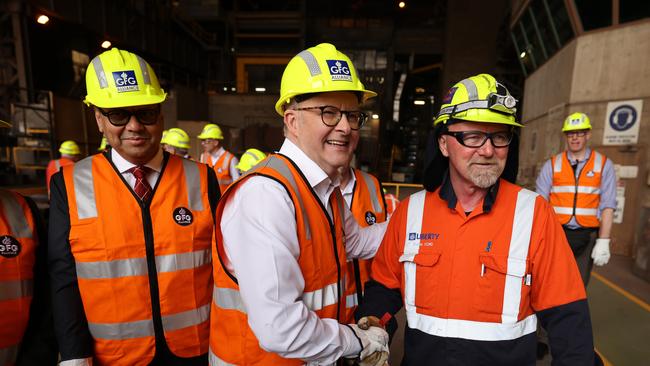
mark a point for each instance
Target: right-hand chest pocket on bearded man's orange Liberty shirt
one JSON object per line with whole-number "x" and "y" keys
{"x": 501, "y": 287}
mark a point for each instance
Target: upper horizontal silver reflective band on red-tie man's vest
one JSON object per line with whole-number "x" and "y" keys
{"x": 138, "y": 266}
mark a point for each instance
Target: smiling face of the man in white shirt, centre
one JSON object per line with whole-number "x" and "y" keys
{"x": 329, "y": 147}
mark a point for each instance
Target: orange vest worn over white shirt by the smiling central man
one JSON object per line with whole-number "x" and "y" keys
{"x": 322, "y": 261}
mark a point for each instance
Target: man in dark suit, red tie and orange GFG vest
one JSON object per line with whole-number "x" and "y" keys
{"x": 130, "y": 264}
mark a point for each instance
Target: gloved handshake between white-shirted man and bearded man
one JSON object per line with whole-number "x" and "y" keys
{"x": 374, "y": 342}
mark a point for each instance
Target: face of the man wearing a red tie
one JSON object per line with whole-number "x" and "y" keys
{"x": 135, "y": 142}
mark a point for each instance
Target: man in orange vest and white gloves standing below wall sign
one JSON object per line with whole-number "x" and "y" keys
{"x": 580, "y": 183}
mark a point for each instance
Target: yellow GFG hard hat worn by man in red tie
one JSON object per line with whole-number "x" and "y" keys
{"x": 118, "y": 78}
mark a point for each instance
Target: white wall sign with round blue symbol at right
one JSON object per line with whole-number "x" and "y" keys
{"x": 622, "y": 122}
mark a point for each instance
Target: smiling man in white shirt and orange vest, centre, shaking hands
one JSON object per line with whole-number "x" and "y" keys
{"x": 284, "y": 233}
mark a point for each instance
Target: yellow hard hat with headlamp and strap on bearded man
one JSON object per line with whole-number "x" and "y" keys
{"x": 479, "y": 98}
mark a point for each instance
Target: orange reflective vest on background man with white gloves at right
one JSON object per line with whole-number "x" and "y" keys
{"x": 579, "y": 197}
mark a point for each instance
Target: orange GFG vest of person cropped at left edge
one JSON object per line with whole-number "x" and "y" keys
{"x": 17, "y": 256}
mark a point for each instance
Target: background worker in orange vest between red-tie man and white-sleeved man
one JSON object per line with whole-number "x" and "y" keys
{"x": 222, "y": 161}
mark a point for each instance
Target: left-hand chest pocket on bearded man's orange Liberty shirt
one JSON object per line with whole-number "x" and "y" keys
{"x": 425, "y": 269}
